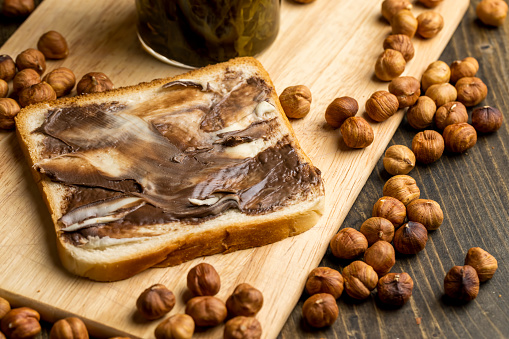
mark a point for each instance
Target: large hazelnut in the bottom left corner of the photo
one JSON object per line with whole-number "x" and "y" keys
{"x": 21, "y": 323}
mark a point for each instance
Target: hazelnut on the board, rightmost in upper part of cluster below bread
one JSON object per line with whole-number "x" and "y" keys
{"x": 245, "y": 300}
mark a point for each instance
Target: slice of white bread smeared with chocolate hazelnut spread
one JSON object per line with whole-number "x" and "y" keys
{"x": 170, "y": 114}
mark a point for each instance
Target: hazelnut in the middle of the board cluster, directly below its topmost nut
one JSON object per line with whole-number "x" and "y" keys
{"x": 206, "y": 310}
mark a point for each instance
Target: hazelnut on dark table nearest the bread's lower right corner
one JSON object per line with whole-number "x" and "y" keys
{"x": 348, "y": 243}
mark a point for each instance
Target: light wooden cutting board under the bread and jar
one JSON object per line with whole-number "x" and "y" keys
{"x": 330, "y": 46}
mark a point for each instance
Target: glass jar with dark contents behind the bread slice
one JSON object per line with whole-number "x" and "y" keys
{"x": 201, "y": 32}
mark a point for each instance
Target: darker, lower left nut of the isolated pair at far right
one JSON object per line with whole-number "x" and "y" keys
{"x": 462, "y": 282}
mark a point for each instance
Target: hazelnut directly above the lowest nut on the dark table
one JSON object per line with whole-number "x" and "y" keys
{"x": 325, "y": 280}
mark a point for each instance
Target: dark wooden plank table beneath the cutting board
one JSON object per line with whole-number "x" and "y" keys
{"x": 473, "y": 191}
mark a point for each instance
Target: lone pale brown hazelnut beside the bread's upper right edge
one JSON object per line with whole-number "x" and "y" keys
{"x": 296, "y": 101}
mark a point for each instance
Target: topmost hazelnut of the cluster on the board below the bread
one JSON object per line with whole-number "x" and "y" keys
{"x": 203, "y": 279}
